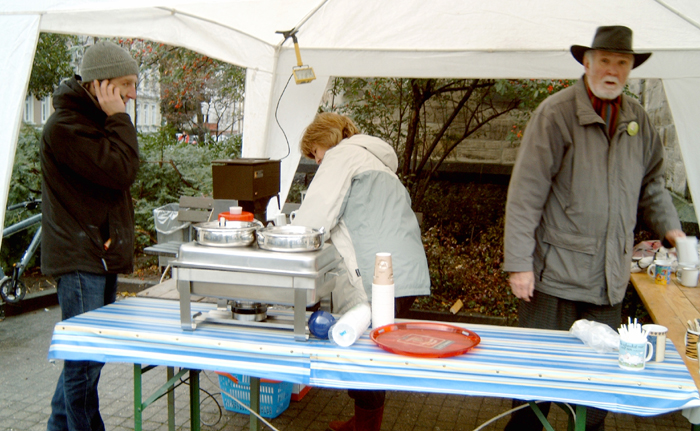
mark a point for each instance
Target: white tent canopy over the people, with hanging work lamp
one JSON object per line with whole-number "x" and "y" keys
{"x": 363, "y": 38}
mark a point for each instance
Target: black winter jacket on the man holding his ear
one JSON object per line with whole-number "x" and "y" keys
{"x": 88, "y": 163}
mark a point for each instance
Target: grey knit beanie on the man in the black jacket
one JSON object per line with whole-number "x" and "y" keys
{"x": 107, "y": 60}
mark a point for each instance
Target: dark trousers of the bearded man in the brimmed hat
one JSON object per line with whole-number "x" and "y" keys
{"x": 549, "y": 312}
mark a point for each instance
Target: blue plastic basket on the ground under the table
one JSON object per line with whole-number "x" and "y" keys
{"x": 274, "y": 396}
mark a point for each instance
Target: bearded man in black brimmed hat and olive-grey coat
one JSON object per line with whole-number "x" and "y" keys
{"x": 589, "y": 158}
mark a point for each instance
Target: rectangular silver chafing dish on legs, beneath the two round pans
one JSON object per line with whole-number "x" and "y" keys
{"x": 246, "y": 279}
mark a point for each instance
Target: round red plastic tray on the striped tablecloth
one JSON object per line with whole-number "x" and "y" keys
{"x": 424, "y": 339}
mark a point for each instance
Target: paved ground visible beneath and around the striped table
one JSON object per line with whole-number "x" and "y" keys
{"x": 28, "y": 379}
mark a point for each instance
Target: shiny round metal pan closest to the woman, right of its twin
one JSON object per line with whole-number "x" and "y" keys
{"x": 290, "y": 238}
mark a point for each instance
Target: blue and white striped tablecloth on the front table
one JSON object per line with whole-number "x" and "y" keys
{"x": 528, "y": 364}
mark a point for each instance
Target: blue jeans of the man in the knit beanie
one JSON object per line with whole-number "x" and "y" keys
{"x": 75, "y": 405}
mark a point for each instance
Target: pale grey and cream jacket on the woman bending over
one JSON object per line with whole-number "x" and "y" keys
{"x": 358, "y": 198}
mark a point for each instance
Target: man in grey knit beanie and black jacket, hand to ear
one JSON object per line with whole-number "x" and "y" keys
{"x": 89, "y": 159}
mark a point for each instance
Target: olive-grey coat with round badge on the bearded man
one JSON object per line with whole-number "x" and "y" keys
{"x": 574, "y": 193}
